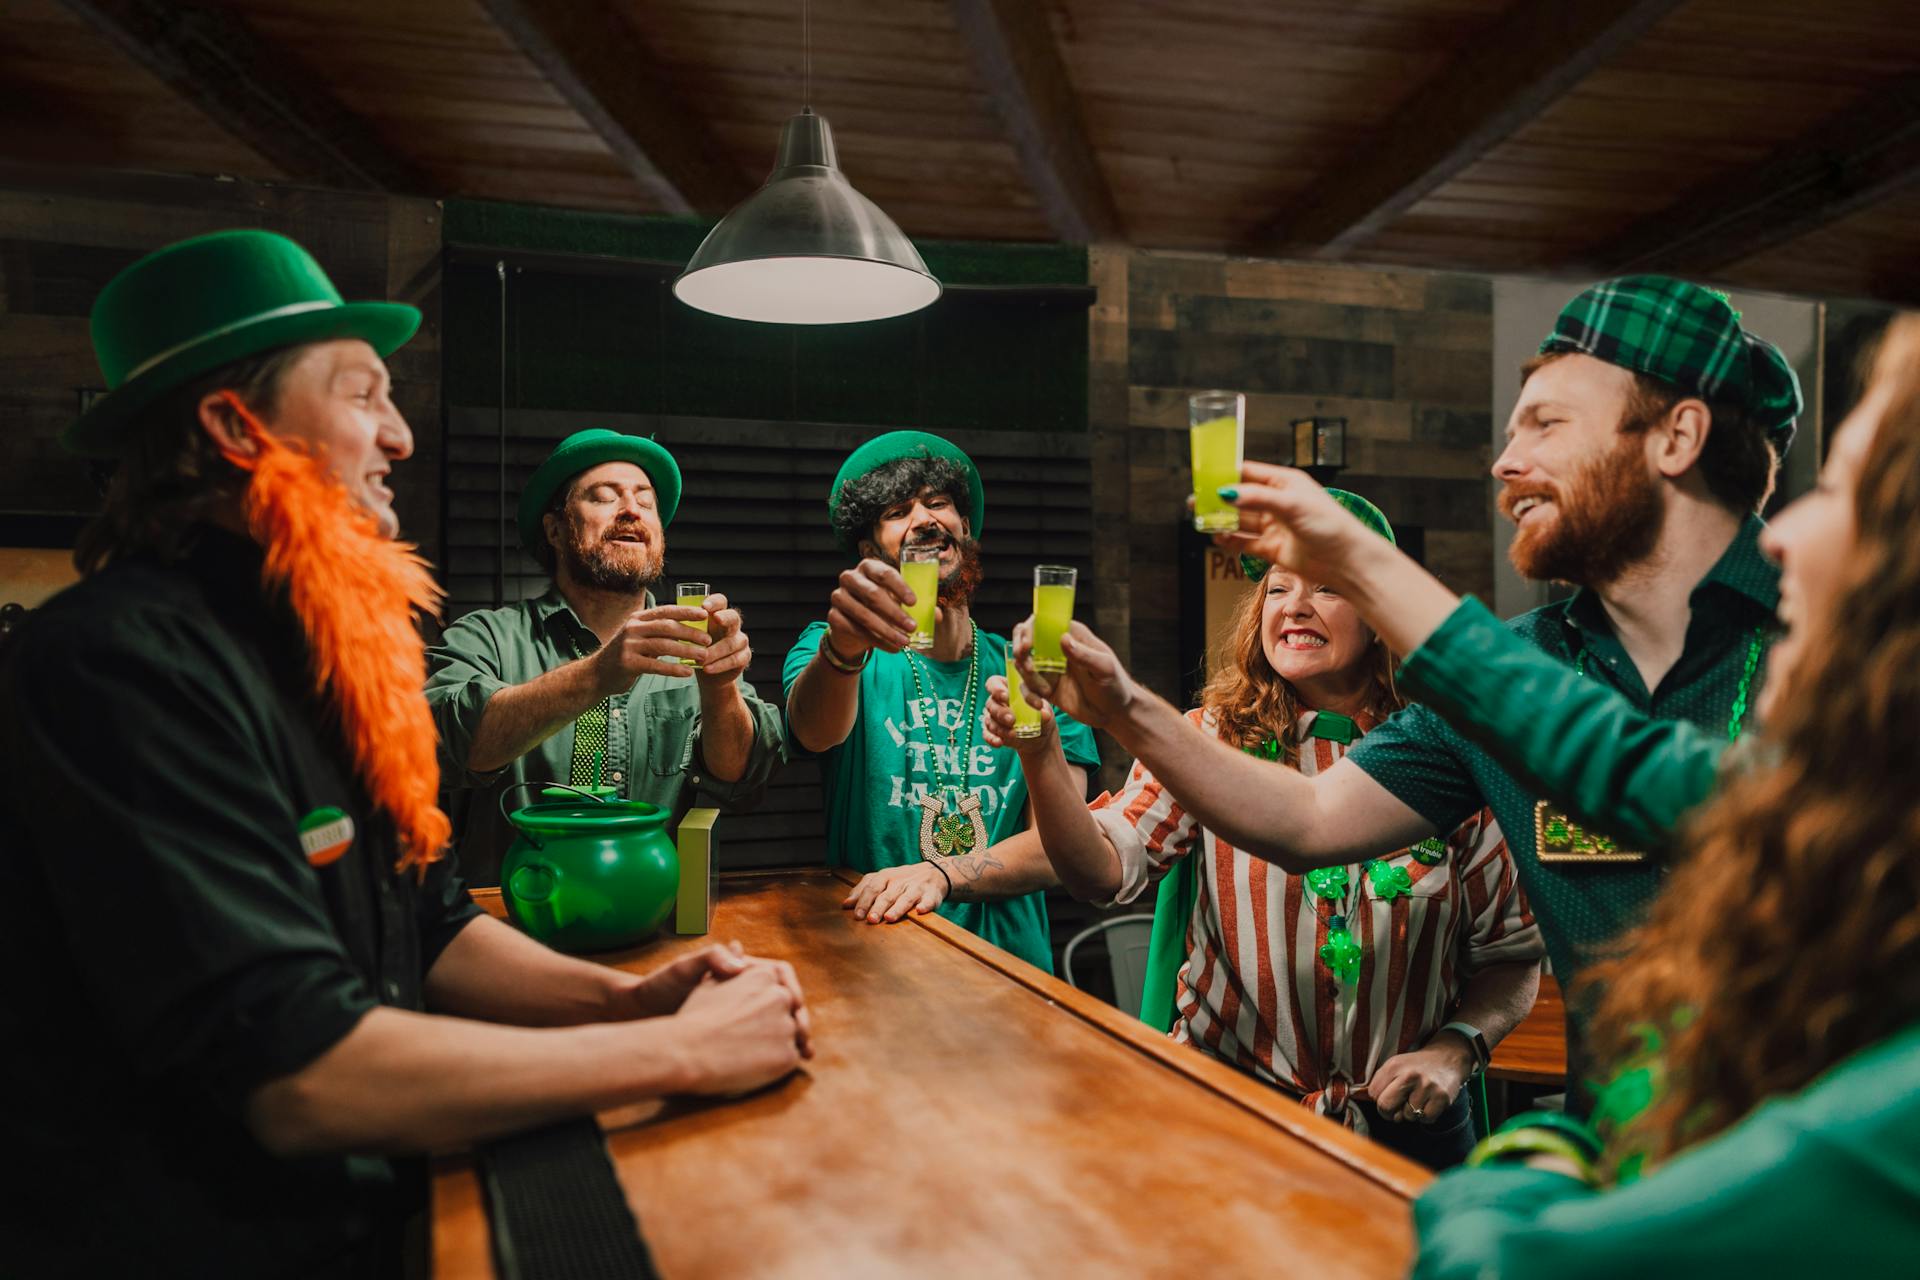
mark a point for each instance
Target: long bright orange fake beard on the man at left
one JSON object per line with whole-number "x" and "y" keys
{"x": 356, "y": 594}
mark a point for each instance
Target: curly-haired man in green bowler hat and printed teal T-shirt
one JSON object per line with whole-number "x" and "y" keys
{"x": 915, "y": 797}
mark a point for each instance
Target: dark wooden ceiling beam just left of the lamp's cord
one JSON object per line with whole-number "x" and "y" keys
{"x": 594, "y": 59}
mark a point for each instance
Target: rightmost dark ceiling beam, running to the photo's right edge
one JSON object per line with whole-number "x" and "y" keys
{"x": 1846, "y": 164}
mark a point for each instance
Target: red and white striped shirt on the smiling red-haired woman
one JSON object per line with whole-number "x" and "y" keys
{"x": 1255, "y": 989}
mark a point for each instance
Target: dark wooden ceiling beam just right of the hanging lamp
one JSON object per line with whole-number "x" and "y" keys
{"x": 1019, "y": 64}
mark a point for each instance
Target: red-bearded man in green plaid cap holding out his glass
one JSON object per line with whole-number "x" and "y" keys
{"x": 1644, "y": 442}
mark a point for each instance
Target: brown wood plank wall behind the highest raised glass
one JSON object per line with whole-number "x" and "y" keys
{"x": 1403, "y": 356}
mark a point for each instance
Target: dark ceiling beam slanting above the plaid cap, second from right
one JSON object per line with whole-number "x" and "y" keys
{"x": 1504, "y": 80}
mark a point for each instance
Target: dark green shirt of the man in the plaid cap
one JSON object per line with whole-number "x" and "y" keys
{"x": 1445, "y": 776}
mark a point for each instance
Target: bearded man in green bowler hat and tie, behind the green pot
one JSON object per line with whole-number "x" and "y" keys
{"x": 596, "y": 684}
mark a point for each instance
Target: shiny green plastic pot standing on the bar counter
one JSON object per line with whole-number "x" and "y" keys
{"x": 588, "y": 874}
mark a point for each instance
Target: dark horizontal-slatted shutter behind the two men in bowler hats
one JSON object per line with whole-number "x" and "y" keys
{"x": 754, "y": 525}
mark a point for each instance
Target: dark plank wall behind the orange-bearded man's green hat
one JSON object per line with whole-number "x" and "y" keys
{"x": 64, "y": 235}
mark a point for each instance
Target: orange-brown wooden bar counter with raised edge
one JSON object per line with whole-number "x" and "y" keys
{"x": 967, "y": 1114}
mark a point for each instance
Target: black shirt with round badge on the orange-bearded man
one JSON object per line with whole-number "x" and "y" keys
{"x": 170, "y": 945}
